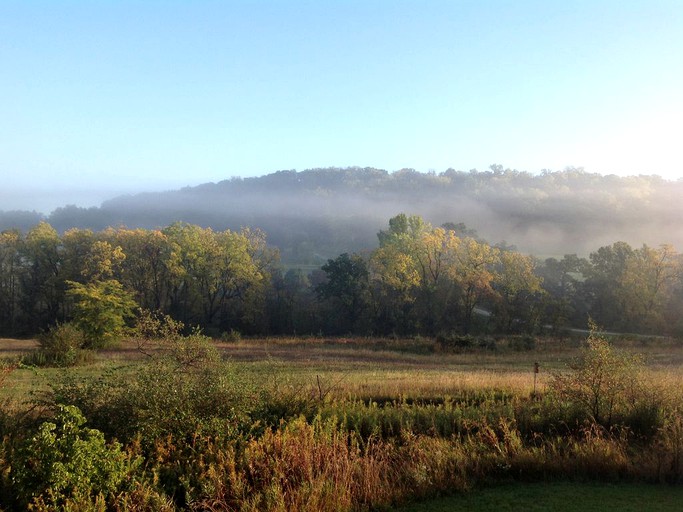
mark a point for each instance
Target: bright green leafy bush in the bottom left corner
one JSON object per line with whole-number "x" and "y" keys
{"x": 66, "y": 462}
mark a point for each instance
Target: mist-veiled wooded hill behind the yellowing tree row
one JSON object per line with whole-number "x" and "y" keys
{"x": 317, "y": 214}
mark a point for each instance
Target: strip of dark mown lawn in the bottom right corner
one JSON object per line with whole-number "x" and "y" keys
{"x": 560, "y": 497}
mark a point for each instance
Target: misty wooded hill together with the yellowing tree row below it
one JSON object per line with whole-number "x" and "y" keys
{"x": 309, "y": 252}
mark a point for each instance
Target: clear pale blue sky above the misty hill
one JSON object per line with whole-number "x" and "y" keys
{"x": 102, "y": 98}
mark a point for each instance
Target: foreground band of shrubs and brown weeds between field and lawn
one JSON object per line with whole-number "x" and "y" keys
{"x": 188, "y": 430}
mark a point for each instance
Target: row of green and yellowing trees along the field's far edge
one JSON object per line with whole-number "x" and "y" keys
{"x": 420, "y": 279}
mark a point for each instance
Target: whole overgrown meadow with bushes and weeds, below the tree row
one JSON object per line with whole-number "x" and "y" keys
{"x": 316, "y": 423}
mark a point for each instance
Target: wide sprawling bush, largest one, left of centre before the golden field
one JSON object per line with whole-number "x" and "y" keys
{"x": 186, "y": 391}
